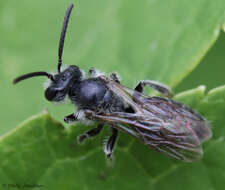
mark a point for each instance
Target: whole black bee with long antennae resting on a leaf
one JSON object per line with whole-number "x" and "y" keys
{"x": 160, "y": 123}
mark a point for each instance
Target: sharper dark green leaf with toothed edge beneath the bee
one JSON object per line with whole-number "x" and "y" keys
{"x": 42, "y": 152}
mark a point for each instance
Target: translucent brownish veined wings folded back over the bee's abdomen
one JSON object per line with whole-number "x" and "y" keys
{"x": 160, "y": 123}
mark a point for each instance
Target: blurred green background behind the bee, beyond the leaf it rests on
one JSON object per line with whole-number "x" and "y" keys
{"x": 108, "y": 35}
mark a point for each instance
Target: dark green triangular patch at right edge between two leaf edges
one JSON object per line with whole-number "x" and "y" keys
{"x": 202, "y": 74}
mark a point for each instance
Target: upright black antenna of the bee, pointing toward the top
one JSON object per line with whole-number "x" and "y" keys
{"x": 62, "y": 36}
